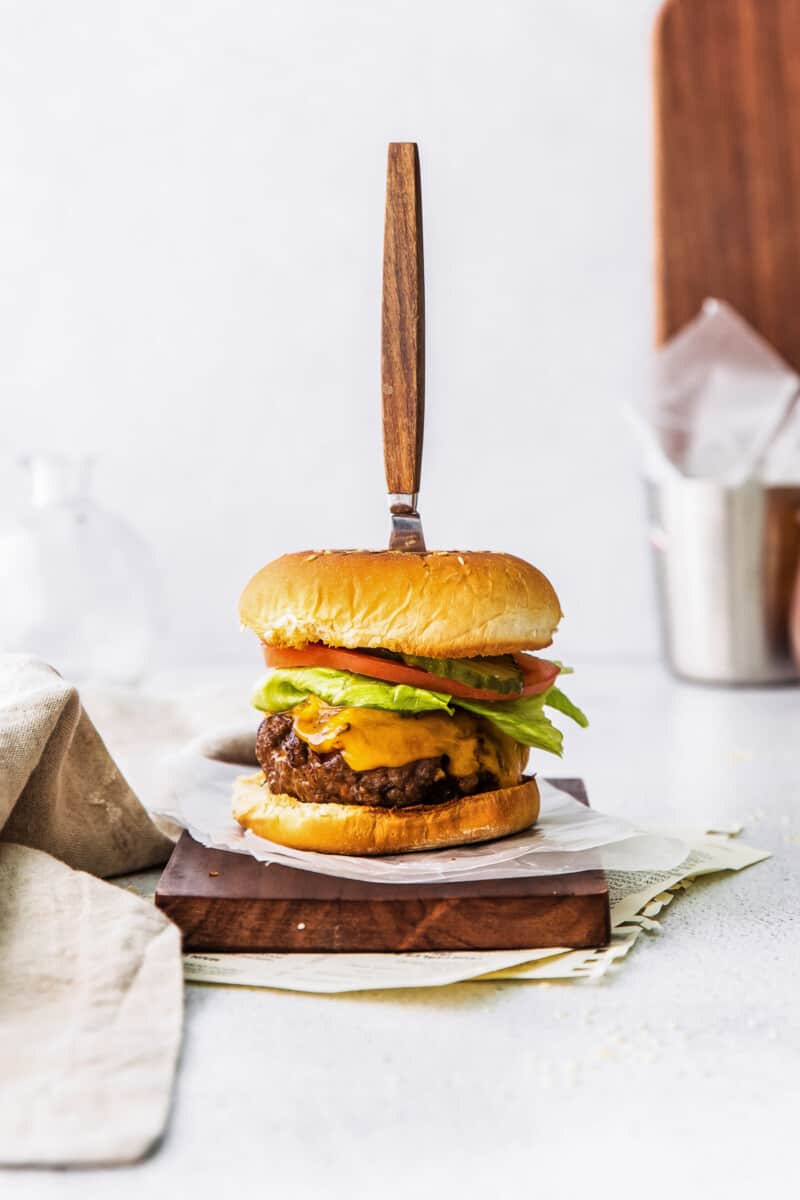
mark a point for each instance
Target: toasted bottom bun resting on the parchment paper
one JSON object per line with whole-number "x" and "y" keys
{"x": 368, "y": 830}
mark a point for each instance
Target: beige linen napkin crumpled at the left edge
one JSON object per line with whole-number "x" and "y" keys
{"x": 91, "y": 976}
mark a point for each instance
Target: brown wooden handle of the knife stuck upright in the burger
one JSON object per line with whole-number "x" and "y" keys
{"x": 404, "y": 322}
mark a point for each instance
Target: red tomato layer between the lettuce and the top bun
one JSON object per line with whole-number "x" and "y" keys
{"x": 538, "y": 675}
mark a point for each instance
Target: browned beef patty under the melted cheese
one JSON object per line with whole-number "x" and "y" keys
{"x": 293, "y": 769}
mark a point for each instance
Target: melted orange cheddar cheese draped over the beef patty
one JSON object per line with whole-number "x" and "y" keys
{"x": 370, "y": 737}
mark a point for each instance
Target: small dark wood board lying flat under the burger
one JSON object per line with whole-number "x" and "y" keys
{"x": 226, "y": 902}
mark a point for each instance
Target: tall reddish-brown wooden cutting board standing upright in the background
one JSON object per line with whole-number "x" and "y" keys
{"x": 727, "y": 124}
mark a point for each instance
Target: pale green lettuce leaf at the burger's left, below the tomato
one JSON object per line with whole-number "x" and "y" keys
{"x": 286, "y": 688}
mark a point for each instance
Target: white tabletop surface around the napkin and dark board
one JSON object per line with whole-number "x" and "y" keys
{"x": 678, "y": 1073}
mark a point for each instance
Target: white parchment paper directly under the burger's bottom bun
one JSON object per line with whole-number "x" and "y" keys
{"x": 569, "y": 837}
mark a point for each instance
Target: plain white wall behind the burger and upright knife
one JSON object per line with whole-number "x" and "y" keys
{"x": 191, "y": 249}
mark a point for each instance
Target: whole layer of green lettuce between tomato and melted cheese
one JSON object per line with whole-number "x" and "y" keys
{"x": 524, "y": 719}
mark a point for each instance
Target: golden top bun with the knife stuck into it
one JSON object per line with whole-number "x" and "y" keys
{"x": 441, "y": 604}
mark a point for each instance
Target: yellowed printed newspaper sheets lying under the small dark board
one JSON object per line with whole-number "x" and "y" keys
{"x": 636, "y": 901}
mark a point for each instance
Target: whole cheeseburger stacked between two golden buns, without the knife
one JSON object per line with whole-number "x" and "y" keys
{"x": 402, "y": 699}
